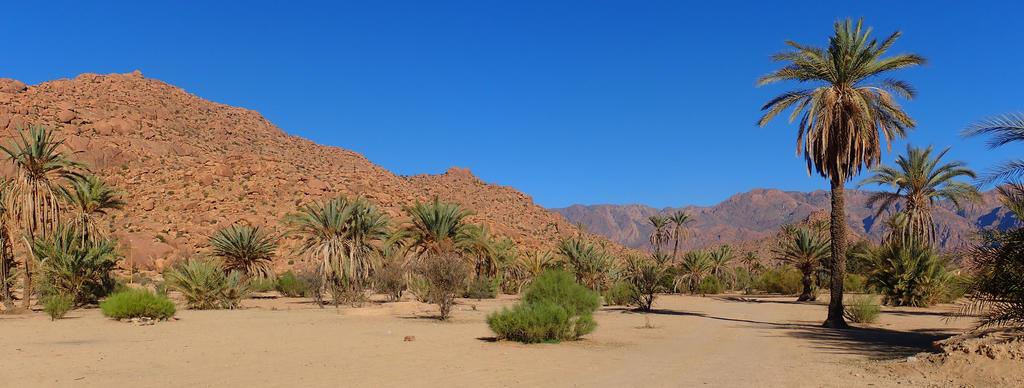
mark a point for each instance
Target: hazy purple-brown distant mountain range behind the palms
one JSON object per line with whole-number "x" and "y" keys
{"x": 759, "y": 214}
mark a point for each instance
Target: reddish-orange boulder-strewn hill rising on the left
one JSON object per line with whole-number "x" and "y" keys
{"x": 190, "y": 166}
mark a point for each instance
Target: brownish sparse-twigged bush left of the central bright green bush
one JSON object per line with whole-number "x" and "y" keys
{"x": 446, "y": 277}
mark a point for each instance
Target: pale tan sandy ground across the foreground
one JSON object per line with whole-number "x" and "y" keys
{"x": 713, "y": 341}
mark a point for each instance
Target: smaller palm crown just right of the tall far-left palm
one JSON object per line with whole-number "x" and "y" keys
{"x": 88, "y": 199}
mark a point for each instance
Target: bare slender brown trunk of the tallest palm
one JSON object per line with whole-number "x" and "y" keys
{"x": 838, "y": 230}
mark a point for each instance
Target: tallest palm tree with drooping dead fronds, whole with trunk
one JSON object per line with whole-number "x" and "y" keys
{"x": 842, "y": 117}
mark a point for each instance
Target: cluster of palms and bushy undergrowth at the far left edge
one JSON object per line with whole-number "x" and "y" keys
{"x": 52, "y": 208}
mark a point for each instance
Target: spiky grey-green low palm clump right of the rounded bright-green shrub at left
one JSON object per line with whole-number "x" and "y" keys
{"x": 206, "y": 285}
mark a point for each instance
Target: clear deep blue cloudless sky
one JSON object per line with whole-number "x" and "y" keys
{"x": 577, "y": 103}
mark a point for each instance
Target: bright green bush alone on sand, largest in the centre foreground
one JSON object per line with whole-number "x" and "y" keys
{"x": 553, "y": 309}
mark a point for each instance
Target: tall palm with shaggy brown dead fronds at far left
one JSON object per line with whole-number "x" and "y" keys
{"x": 34, "y": 197}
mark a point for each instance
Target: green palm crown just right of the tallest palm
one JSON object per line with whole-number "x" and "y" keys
{"x": 919, "y": 181}
